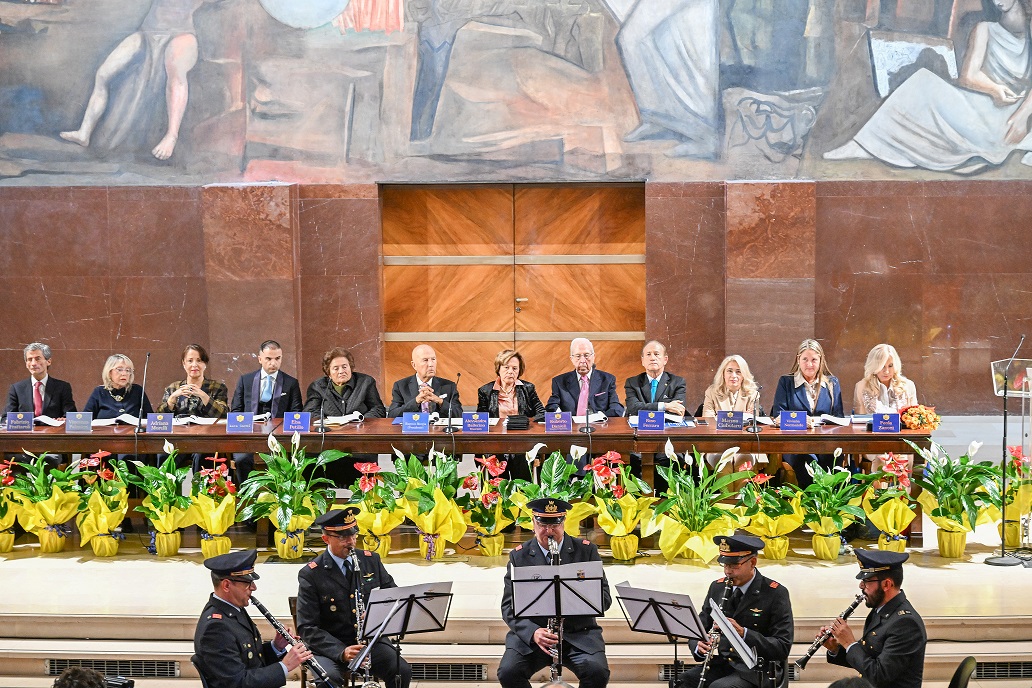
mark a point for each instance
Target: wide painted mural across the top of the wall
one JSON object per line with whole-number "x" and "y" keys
{"x": 222, "y": 91}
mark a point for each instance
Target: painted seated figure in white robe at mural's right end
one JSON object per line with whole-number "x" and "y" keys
{"x": 963, "y": 127}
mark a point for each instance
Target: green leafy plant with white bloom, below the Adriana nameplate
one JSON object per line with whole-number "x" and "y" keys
{"x": 166, "y": 505}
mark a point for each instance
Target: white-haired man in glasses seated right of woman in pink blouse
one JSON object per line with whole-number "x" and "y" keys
{"x": 586, "y": 389}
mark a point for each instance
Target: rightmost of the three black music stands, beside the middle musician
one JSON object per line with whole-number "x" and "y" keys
{"x": 661, "y": 613}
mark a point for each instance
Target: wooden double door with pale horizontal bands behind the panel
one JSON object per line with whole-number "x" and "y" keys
{"x": 473, "y": 270}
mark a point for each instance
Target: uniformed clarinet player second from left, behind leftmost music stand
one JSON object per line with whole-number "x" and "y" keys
{"x": 327, "y": 603}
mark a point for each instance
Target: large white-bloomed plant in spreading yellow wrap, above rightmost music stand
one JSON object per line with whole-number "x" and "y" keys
{"x": 693, "y": 511}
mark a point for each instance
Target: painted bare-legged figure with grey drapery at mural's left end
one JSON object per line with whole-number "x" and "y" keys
{"x": 162, "y": 52}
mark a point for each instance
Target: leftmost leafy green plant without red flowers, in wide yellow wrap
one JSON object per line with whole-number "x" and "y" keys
{"x": 48, "y": 499}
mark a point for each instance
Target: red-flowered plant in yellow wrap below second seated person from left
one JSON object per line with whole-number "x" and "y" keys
{"x": 104, "y": 504}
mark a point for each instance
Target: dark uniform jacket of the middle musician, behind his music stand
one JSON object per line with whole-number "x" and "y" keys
{"x": 582, "y": 632}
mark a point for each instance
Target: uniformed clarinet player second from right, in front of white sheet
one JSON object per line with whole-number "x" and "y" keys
{"x": 759, "y": 610}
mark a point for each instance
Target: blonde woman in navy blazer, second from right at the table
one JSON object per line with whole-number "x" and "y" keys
{"x": 813, "y": 389}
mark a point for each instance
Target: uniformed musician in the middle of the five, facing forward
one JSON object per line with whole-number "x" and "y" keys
{"x": 530, "y": 641}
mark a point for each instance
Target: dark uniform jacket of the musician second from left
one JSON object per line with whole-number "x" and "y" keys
{"x": 327, "y": 604}
